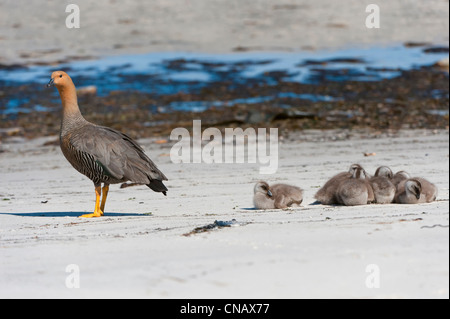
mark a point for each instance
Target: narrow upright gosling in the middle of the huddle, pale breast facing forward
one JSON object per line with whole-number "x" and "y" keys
{"x": 383, "y": 188}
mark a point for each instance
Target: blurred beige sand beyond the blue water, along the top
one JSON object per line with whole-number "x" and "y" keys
{"x": 37, "y": 33}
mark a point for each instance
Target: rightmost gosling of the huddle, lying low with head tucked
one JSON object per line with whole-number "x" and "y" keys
{"x": 415, "y": 190}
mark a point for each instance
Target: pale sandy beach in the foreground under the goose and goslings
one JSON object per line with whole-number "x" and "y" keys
{"x": 139, "y": 249}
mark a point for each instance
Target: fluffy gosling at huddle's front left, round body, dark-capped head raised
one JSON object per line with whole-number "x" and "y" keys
{"x": 355, "y": 190}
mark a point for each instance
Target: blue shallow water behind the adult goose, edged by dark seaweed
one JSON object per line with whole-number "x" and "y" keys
{"x": 168, "y": 73}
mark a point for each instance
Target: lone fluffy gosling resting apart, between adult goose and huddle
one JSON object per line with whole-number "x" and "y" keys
{"x": 276, "y": 196}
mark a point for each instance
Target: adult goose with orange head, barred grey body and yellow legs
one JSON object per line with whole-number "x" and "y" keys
{"x": 101, "y": 153}
